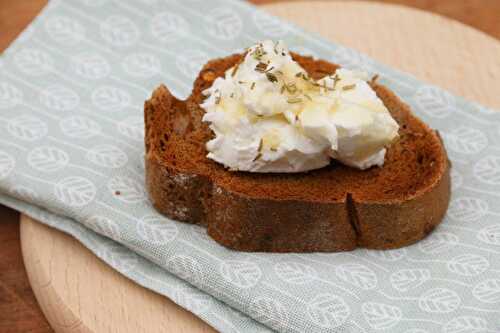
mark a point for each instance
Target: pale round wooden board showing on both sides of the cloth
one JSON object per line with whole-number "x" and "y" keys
{"x": 79, "y": 293}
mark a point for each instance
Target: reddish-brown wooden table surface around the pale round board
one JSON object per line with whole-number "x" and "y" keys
{"x": 19, "y": 311}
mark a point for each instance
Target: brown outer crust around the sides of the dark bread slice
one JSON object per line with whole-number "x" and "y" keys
{"x": 247, "y": 223}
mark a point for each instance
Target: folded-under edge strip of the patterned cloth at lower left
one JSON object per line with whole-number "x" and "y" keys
{"x": 172, "y": 287}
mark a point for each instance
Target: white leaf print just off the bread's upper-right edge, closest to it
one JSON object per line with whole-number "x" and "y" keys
{"x": 434, "y": 102}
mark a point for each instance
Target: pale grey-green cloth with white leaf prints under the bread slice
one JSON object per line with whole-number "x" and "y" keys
{"x": 71, "y": 94}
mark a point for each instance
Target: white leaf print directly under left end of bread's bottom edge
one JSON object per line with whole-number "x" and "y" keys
{"x": 242, "y": 274}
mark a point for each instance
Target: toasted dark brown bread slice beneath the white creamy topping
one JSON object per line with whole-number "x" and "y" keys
{"x": 336, "y": 208}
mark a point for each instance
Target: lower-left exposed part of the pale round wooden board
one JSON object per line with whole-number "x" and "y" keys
{"x": 97, "y": 299}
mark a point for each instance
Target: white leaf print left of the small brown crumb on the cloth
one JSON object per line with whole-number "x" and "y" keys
{"x": 75, "y": 191}
